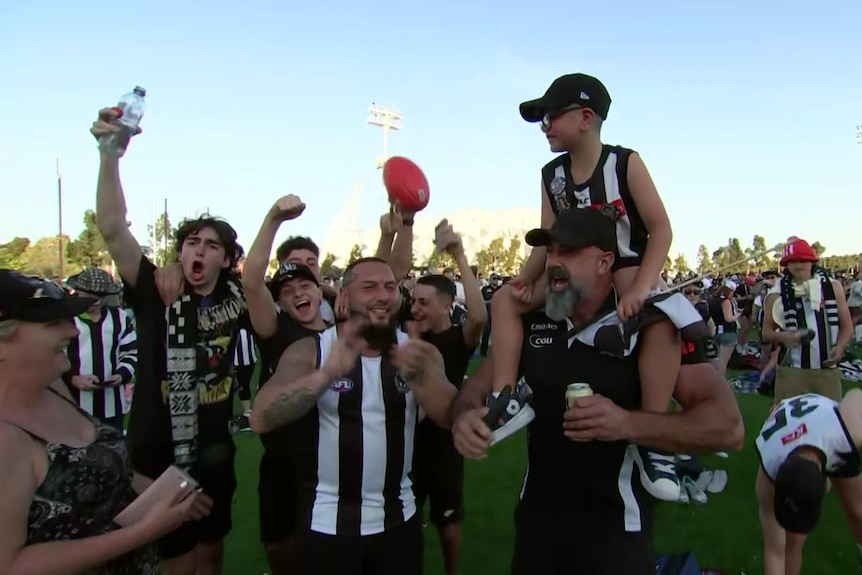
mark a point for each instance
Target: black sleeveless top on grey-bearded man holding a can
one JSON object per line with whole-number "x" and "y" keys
{"x": 563, "y": 474}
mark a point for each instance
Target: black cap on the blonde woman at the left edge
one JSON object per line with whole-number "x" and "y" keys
{"x": 30, "y": 299}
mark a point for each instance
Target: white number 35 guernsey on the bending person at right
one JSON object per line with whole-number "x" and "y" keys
{"x": 808, "y": 420}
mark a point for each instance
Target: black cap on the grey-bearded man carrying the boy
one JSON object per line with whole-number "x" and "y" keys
{"x": 577, "y": 228}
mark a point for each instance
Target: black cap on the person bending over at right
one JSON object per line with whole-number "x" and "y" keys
{"x": 799, "y": 489}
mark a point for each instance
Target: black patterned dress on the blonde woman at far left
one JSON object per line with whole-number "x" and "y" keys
{"x": 84, "y": 489}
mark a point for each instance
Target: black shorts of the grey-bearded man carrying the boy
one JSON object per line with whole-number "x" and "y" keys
{"x": 554, "y": 541}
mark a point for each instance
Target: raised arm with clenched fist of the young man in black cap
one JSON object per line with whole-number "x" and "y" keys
{"x": 261, "y": 310}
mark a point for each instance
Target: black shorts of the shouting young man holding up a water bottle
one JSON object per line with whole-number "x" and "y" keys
{"x": 216, "y": 475}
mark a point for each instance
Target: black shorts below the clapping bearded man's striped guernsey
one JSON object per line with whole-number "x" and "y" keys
{"x": 398, "y": 551}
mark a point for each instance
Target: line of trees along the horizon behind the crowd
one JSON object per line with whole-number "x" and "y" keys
{"x": 502, "y": 255}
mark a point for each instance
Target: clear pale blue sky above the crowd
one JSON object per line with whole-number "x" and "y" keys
{"x": 745, "y": 113}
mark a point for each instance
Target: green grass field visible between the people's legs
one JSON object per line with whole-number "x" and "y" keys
{"x": 724, "y": 534}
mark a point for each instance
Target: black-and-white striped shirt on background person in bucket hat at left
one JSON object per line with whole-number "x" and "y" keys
{"x": 104, "y": 348}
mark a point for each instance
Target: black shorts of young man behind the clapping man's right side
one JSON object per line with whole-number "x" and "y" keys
{"x": 438, "y": 474}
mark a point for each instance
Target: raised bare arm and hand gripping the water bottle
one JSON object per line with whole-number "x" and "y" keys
{"x": 111, "y": 207}
